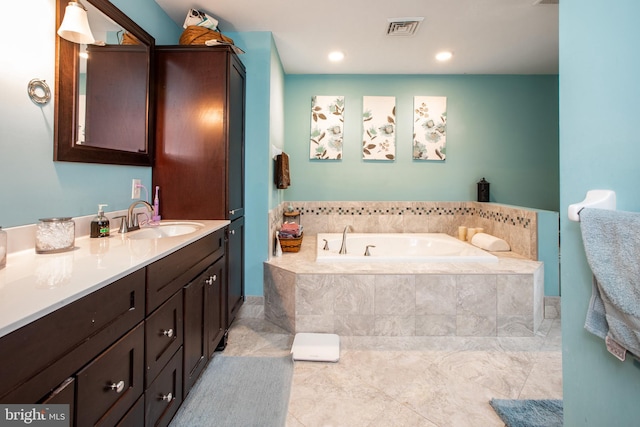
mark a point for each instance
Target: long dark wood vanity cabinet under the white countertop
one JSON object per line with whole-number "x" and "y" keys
{"x": 115, "y": 362}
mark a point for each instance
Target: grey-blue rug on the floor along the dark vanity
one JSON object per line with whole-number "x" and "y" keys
{"x": 239, "y": 391}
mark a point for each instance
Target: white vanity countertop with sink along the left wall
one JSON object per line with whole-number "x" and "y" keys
{"x": 34, "y": 285}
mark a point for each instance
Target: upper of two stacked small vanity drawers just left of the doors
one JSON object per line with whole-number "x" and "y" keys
{"x": 163, "y": 336}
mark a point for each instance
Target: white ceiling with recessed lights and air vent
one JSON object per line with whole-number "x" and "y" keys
{"x": 485, "y": 36}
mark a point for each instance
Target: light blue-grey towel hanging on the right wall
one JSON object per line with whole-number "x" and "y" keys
{"x": 612, "y": 246}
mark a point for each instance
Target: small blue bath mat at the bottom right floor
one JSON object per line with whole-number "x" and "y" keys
{"x": 529, "y": 413}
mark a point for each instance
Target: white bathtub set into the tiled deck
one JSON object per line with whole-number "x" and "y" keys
{"x": 399, "y": 247}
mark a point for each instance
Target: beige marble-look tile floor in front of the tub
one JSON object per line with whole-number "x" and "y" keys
{"x": 408, "y": 381}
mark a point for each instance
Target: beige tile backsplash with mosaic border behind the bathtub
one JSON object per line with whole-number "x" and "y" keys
{"x": 518, "y": 226}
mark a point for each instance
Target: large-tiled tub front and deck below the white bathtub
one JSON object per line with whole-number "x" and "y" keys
{"x": 503, "y": 299}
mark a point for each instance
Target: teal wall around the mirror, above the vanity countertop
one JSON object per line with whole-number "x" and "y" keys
{"x": 32, "y": 186}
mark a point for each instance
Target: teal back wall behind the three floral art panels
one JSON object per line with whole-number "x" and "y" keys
{"x": 504, "y": 128}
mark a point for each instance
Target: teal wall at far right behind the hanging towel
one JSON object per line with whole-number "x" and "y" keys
{"x": 599, "y": 149}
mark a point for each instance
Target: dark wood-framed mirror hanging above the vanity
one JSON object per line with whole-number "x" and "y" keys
{"x": 104, "y": 91}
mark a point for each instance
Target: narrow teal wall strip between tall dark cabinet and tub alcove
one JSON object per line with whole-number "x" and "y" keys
{"x": 264, "y": 120}
